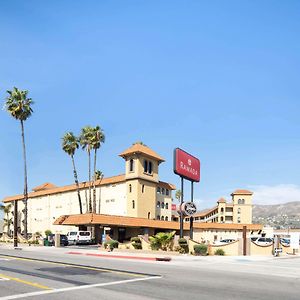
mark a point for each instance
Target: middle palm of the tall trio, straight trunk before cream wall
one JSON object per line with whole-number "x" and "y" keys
{"x": 86, "y": 141}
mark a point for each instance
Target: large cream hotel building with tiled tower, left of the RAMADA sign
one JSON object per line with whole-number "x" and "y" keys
{"x": 138, "y": 193}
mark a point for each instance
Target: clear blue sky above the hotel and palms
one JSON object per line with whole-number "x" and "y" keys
{"x": 219, "y": 79}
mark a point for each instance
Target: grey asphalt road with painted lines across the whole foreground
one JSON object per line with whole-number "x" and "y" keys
{"x": 66, "y": 276}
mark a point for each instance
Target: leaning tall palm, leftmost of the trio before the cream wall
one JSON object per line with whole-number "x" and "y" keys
{"x": 69, "y": 144}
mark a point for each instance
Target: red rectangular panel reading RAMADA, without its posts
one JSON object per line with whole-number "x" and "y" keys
{"x": 186, "y": 165}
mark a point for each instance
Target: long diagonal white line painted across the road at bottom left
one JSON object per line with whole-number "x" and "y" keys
{"x": 81, "y": 287}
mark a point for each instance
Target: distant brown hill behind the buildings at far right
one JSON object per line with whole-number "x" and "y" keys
{"x": 267, "y": 211}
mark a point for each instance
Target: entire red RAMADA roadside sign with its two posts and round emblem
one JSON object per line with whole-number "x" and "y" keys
{"x": 187, "y": 167}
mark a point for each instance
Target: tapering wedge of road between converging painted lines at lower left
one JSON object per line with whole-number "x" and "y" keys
{"x": 27, "y": 275}
